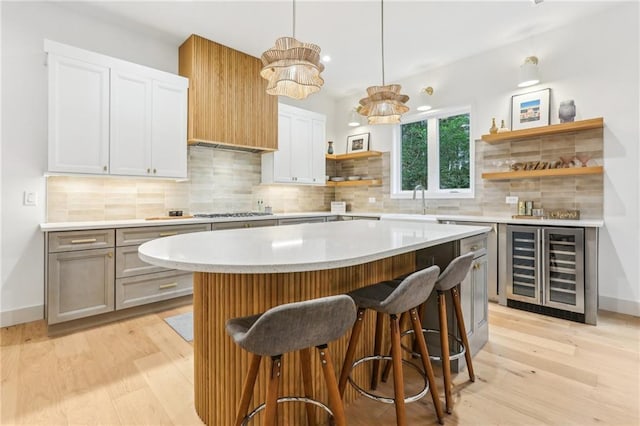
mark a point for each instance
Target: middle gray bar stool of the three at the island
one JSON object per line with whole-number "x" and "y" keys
{"x": 385, "y": 298}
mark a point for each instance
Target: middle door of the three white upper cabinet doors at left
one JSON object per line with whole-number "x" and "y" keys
{"x": 130, "y": 148}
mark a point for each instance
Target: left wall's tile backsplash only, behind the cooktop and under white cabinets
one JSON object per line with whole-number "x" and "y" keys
{"x": 219, "y": 181}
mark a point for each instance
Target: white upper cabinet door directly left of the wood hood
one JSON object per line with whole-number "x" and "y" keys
{"x": 169, "y": 131}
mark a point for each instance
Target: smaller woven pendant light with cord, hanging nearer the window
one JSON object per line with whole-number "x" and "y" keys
{"x": 384, "y": 104}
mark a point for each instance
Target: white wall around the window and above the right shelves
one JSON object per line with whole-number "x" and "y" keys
{"x": 594, "y": 62}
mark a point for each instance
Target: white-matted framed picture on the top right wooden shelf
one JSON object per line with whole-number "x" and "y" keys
{"x": 530, "y": 110}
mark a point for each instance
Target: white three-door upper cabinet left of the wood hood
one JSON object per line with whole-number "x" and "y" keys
{"x": 109, "y": 116}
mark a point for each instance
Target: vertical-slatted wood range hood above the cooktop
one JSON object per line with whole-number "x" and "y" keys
{"x": 228, "y": 107}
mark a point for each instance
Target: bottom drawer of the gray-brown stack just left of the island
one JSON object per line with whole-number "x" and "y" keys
{"x": 151, "y": 288}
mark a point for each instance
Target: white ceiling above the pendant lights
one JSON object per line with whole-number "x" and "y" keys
{"x": 419, "y": 34}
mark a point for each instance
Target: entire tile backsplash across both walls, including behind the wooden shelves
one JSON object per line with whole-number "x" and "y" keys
{"x": 224, "y": 181}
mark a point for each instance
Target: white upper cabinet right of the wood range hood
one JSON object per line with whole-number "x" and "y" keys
{"x": 300, "y": 157}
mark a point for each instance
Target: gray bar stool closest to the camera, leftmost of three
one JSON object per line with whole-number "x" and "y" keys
{"x": 288, "y": 328}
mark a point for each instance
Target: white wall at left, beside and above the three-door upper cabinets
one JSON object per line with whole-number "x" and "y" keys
{"x": 24, "y": 132}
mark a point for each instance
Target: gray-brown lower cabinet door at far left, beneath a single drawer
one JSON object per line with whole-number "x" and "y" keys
{"x": 80, "y": 284}
